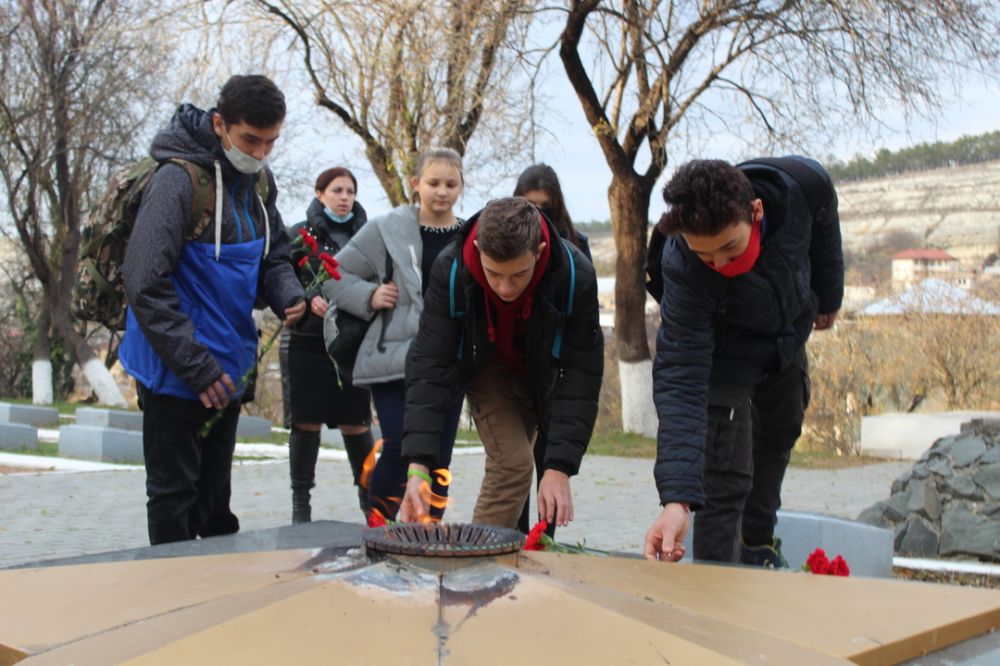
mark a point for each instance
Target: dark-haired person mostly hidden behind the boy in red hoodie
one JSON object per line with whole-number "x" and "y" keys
{"x": 539, "y": 184}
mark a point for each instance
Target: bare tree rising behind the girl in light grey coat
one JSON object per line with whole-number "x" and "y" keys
{"x": 404, "y": 75}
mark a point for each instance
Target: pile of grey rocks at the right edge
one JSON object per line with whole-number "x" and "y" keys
{"x": 948, "y": 504}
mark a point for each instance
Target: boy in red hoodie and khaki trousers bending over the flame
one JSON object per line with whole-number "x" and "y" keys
{"x": 511, "y": 320}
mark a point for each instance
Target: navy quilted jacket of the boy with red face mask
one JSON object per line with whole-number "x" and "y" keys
{"x": 735, "y": 330}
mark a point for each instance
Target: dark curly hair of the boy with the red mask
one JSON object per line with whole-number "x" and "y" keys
{"x": 705, "y": 197}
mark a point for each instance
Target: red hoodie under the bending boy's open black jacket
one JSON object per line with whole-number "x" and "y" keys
{"x": 508, "y": 332}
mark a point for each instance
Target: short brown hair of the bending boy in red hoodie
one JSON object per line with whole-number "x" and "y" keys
{"x": 508, "y": 228}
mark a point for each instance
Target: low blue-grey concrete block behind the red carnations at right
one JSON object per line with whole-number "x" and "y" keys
{"x": 867, "y": 549}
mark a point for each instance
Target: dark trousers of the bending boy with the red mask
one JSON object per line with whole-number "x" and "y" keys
{"x": 751, "y": 433}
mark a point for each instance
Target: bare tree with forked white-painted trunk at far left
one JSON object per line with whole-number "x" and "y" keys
{"x": 78, "y": 80}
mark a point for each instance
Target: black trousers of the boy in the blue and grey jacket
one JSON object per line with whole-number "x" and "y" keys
{"x": 187, "y": 475}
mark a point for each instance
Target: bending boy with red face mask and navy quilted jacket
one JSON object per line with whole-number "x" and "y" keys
{"x": 748, "y": 272}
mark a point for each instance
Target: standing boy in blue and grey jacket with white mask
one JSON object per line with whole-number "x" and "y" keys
{"x": 190, "y": 336}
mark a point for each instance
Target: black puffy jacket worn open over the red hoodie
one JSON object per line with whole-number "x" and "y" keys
{"x": 449, "y": 351}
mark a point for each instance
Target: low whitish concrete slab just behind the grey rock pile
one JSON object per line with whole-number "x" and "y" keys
{"x": 907, "y": 436}
